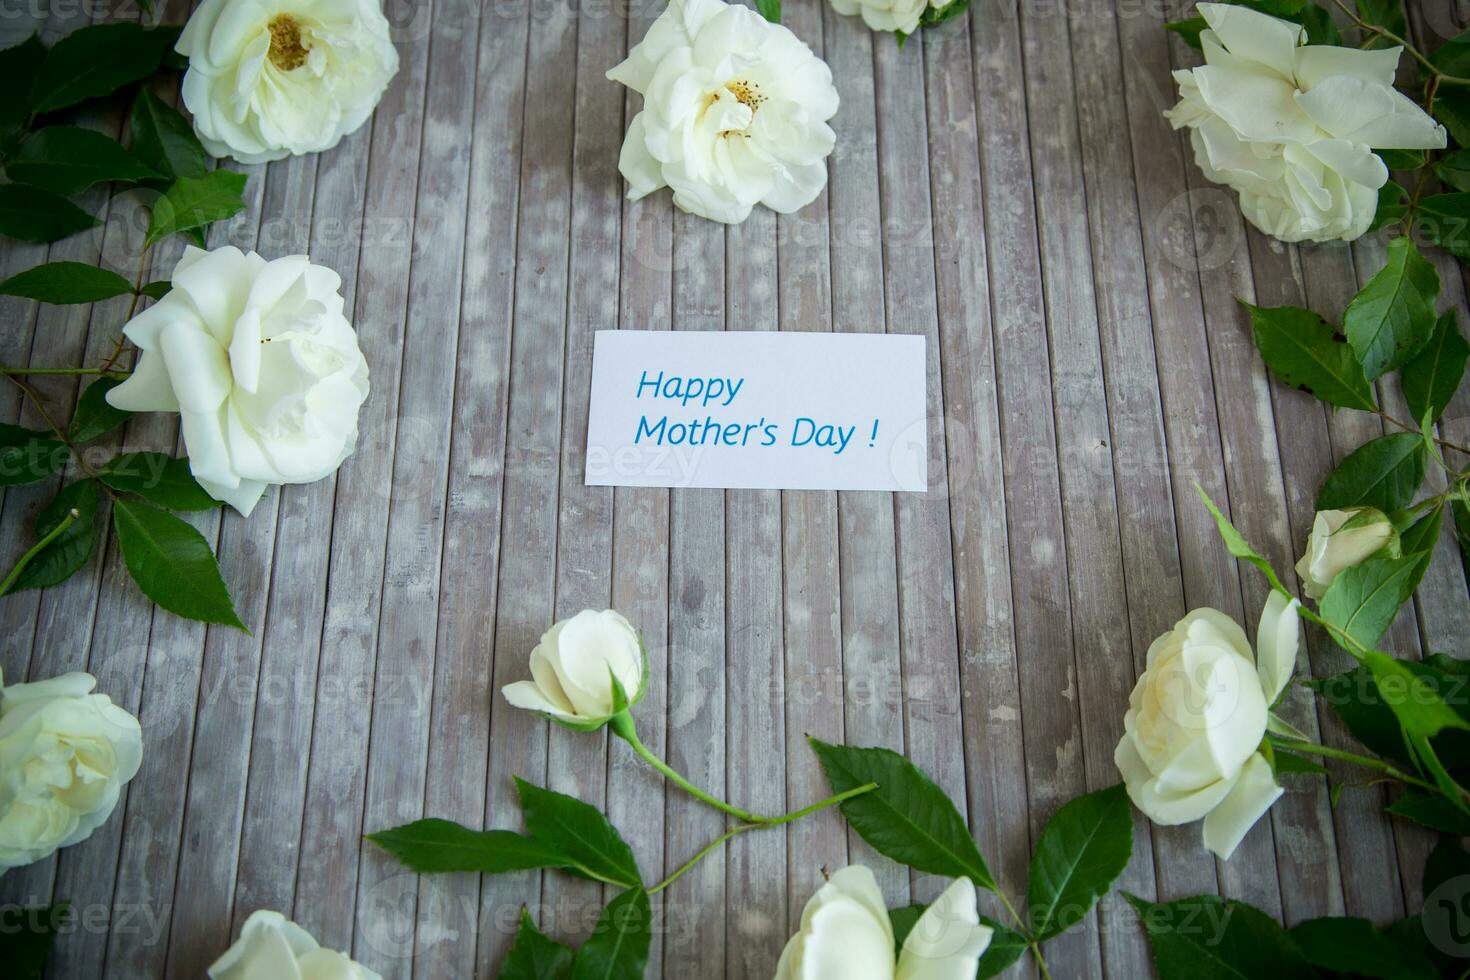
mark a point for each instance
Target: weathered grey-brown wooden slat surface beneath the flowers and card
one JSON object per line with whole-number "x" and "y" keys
{"x": 1003, "y": 186}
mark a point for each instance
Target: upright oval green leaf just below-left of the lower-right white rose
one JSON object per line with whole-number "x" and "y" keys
{"x": 1081, "y": 853}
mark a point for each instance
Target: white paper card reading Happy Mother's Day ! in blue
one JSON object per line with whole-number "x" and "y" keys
{"x": 758, "y": 411}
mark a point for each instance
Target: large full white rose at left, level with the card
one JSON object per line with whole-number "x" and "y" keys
{"x": 261, "y": 365}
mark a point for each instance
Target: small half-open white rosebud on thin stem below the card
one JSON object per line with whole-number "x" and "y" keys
{"x": 574, "y": 668}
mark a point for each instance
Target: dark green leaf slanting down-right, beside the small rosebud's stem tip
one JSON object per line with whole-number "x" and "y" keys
{"x": 908, "y": 819}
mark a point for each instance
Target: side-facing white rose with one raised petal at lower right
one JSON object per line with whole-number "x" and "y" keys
{"x": 1197, "y": 718}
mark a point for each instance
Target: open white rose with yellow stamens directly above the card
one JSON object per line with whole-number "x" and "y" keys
{"x": 734, "y": 114}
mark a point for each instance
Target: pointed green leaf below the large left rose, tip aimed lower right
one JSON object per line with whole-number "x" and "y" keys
{"x": 173, "y": 563}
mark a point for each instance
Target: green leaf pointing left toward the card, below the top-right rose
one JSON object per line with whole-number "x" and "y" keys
{"x": 1306, "y": 353}
